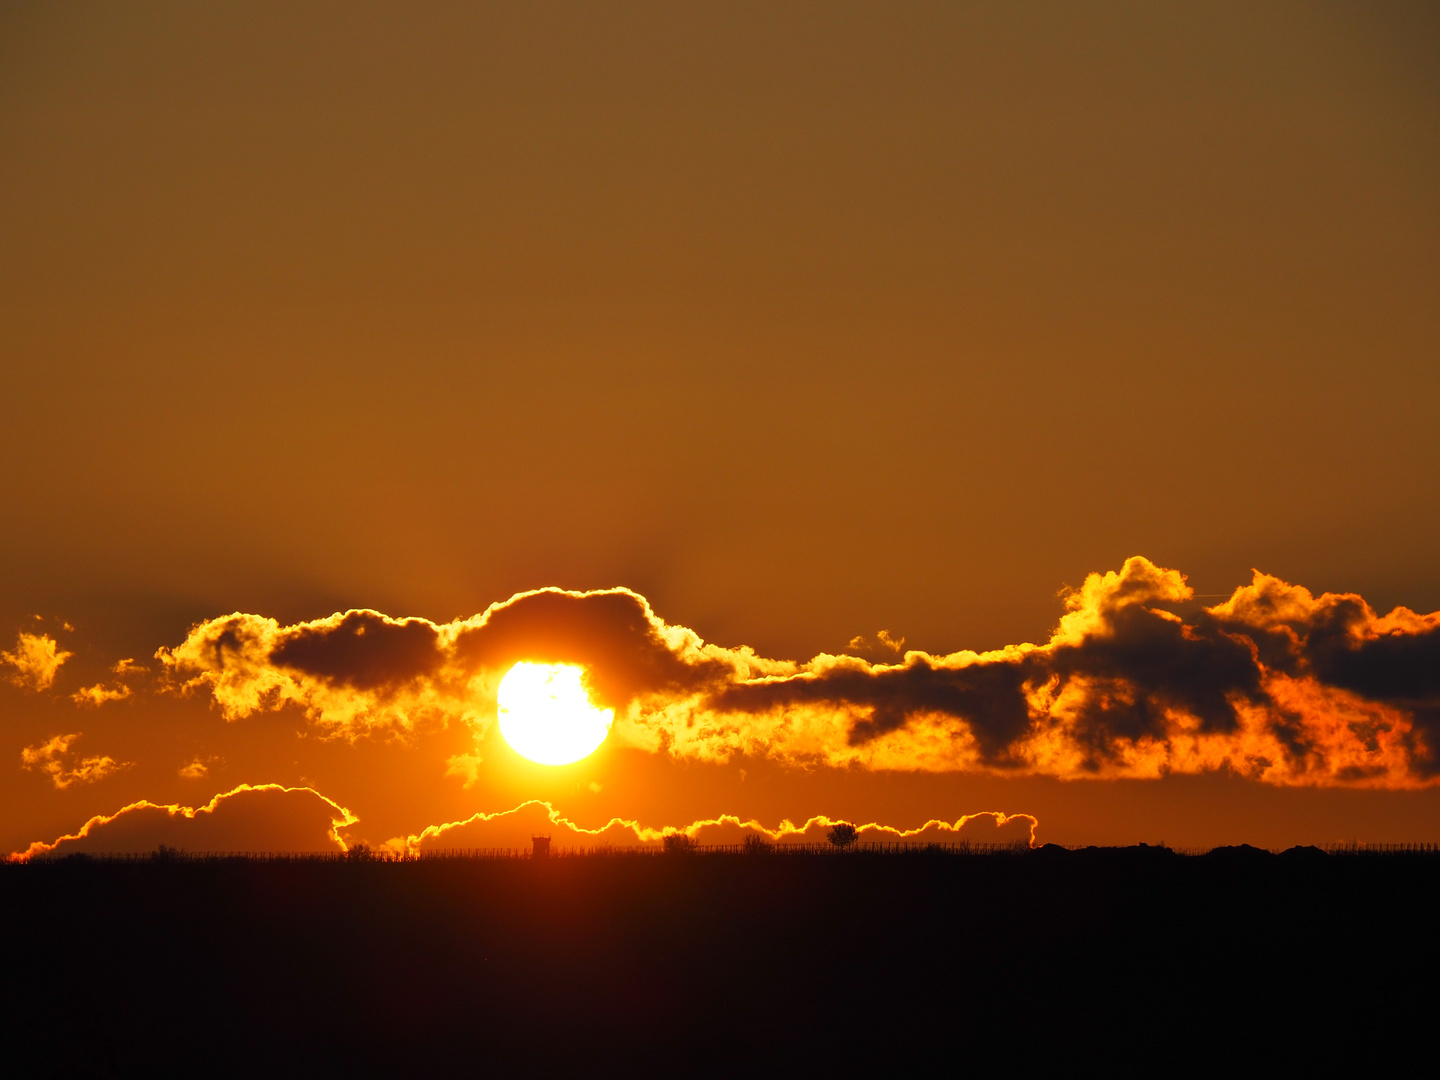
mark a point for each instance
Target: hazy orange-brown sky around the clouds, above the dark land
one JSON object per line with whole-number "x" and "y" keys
{"x": 801, "y": 322}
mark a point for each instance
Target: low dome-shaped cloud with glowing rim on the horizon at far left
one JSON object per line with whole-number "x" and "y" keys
{"x": 251, "y": 819}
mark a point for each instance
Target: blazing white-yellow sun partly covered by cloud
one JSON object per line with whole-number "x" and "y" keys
{"x": 546, "y": 714}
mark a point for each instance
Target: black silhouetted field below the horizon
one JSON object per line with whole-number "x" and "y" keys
{"x": 1137, "y": 958}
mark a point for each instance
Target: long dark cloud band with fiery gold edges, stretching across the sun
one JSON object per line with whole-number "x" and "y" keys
{"x": 1137, "y": 682}
